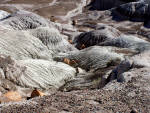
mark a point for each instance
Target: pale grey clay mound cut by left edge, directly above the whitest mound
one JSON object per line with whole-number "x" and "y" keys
{"x": 22, "y": 45}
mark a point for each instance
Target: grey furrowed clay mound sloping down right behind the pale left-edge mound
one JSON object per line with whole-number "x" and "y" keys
{"x": 51, "y": 38}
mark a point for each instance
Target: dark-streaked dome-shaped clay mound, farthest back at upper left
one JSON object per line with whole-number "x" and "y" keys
{"x": 23, "y": 20}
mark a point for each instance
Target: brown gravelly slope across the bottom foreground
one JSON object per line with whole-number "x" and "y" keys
{"x": 114, "y": 97}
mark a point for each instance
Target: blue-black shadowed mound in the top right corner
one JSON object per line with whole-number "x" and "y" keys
{"x": 138, "y": 11}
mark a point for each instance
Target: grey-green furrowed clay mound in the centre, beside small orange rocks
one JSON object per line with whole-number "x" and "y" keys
{"x": 92, "y": 58}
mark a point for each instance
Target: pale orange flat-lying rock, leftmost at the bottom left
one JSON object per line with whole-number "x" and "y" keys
{"x": 12, "y": 96}
